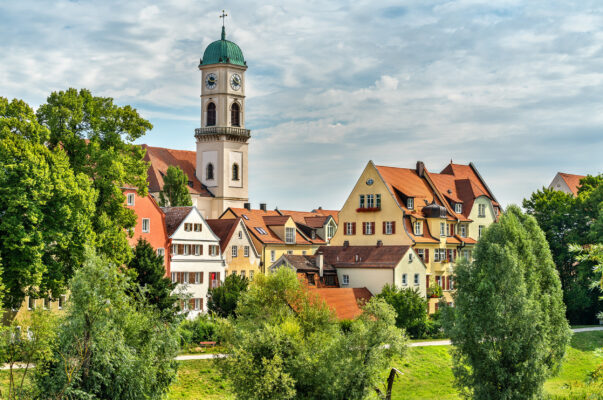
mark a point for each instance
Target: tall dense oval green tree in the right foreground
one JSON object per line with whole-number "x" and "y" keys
{"x": 508, "y": 325}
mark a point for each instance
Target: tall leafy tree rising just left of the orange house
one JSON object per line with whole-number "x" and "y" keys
{"x": 98, "y": 138}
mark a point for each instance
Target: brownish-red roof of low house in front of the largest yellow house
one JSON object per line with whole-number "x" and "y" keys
{"x": 377, "y": 257}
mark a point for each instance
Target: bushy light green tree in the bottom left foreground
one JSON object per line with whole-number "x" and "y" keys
{"x": 108, "y": 346}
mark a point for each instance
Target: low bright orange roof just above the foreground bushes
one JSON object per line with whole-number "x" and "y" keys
{"x": 343, "y": 301}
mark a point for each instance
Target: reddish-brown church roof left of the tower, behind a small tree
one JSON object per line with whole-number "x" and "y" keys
{"x": 161, "y": 158}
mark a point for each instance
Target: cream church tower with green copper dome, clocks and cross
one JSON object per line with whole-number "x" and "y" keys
{"x": 222, "y": 139}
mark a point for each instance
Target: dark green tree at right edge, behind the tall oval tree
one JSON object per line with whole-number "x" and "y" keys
{"x": 566, "y": 220}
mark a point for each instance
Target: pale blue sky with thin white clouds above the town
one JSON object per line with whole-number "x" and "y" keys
{"x": 516, "y": 87}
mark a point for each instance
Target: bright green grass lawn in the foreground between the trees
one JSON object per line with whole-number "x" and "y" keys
{"x": 427, "y": 374}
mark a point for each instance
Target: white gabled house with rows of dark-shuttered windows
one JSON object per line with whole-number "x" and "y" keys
{"x": 196, "y": 260}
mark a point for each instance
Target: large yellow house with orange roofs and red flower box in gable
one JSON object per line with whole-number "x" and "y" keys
{"x": 440, "y": 215}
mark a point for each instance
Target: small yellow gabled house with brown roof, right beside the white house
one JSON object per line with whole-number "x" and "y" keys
{"x": 236, "y": 244}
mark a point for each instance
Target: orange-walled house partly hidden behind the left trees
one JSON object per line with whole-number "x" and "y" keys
{"x": 150, "y": 224}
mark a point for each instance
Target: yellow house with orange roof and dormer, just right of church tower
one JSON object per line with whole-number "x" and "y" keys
{"x": 274, "y": 234}
